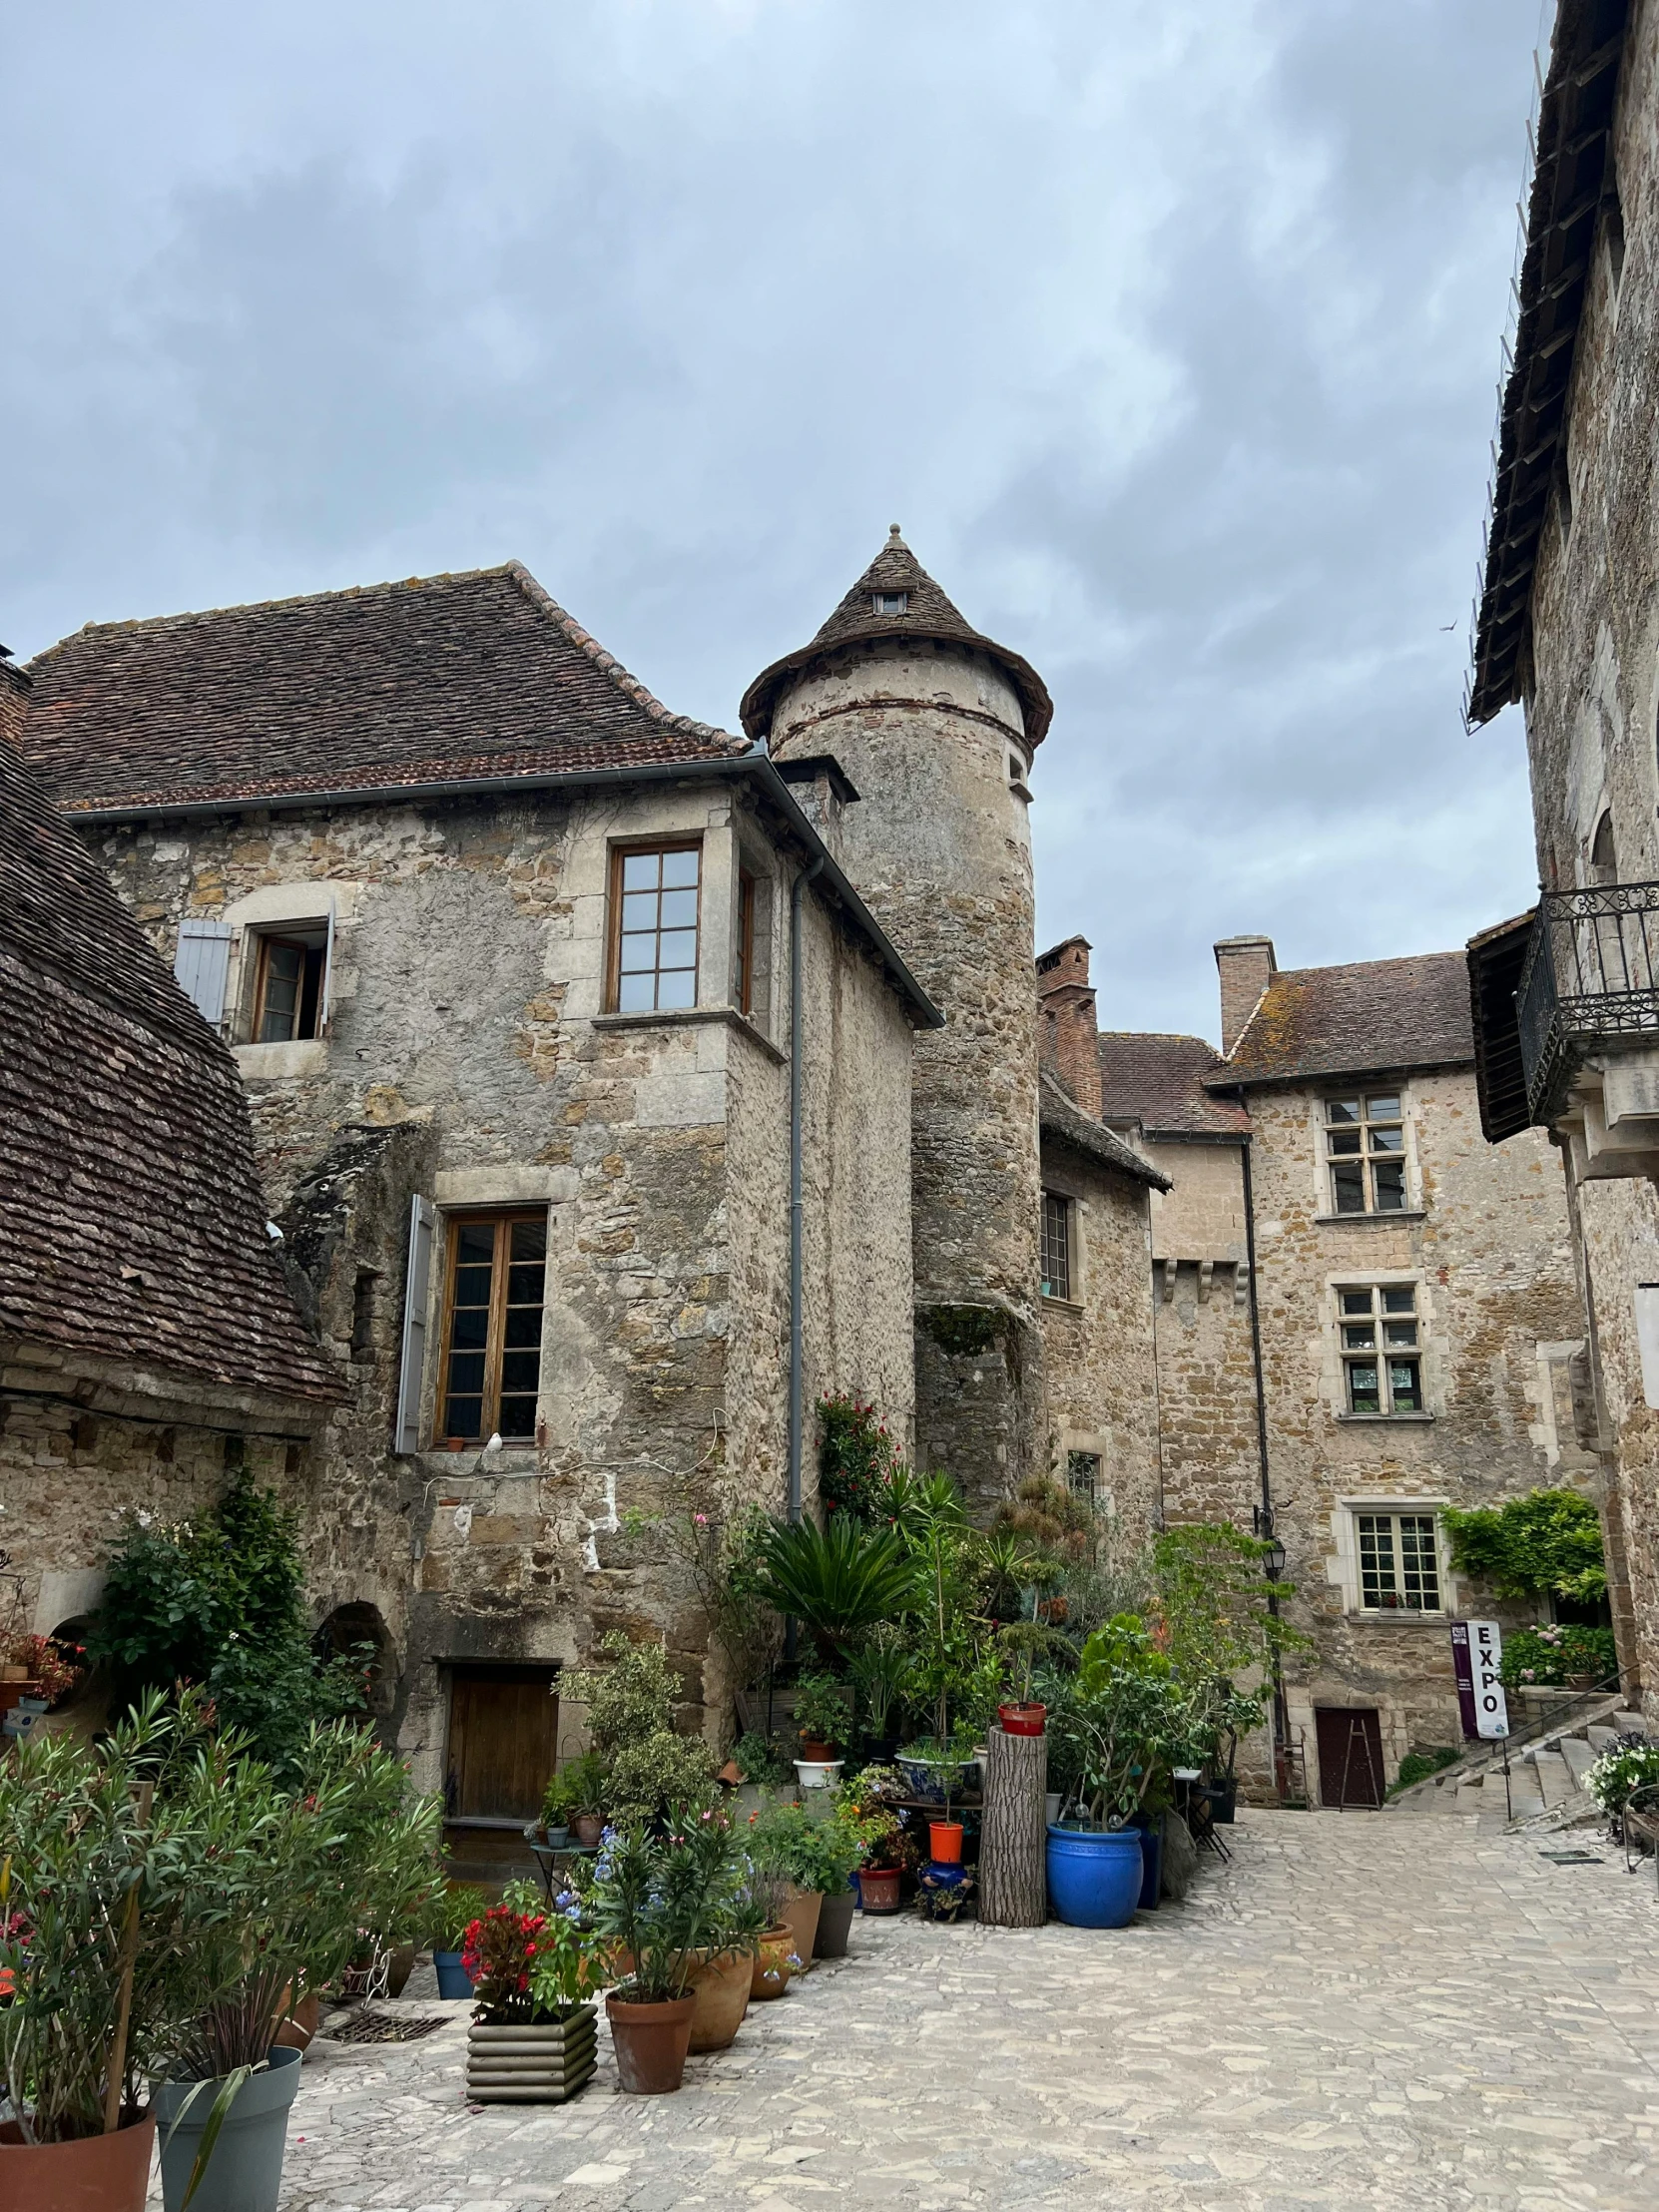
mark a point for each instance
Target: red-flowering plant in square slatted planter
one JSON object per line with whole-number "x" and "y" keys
{"x": 534, "y": 2036}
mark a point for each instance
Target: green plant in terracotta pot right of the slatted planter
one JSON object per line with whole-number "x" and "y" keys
{"x": 656, "y": 1899}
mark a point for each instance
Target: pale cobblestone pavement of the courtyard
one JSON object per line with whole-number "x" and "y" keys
{"x": 1359, "y": 2012}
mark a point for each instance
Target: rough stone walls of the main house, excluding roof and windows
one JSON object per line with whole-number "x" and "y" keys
{"x": 470, "y": 1061}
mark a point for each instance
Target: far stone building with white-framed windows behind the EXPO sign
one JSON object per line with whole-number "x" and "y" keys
{"x": 1415, "y": 1313}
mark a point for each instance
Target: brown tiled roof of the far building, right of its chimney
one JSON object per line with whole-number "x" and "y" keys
{"x": 1355, "y": 1021}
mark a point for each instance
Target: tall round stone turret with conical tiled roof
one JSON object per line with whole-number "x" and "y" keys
{"x": 937, "y": 727}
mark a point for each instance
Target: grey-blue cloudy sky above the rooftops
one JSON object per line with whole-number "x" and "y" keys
{"x": 1167, "y": 333}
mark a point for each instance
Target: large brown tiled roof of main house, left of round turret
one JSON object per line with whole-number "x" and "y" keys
{"x": 439, "y": 680}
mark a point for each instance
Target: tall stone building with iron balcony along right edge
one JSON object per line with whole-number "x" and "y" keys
{"x": 1567, "y": 997}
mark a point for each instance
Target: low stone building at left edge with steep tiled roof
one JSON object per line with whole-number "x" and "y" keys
{"x": 147, "y": 1335}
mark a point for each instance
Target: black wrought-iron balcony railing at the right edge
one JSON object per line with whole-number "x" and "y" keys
{"x": 1592, "y": 981}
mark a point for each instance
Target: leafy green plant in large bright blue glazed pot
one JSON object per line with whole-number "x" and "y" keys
{"x": 1123, "y": 1715}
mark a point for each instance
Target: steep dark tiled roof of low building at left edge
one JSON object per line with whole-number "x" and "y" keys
{"x": 132, "y": 1222}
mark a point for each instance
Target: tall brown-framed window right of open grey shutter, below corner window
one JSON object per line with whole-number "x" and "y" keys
{"x": 492, "y": 1359}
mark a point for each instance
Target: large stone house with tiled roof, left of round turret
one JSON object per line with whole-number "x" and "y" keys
{"x": 523, "y": 977}
